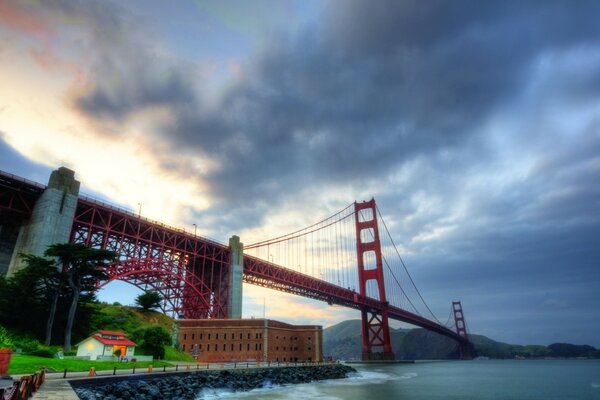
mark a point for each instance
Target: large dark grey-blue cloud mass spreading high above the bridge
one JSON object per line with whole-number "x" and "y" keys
{"x": 353, "y": 99}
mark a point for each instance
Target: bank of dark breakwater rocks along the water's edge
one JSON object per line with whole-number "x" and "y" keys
{"x": 191, "y": 385}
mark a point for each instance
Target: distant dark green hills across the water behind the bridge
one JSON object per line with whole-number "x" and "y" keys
{"x": 343, "y": 341}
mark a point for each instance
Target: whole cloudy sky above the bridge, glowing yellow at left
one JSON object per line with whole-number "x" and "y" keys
{"x": 476, "y": 126}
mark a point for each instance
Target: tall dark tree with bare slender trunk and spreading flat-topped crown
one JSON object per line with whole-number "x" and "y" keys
{"x": 81, "y": 268}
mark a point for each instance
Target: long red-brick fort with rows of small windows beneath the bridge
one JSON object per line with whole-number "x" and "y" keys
{"x": 223, "y": 340}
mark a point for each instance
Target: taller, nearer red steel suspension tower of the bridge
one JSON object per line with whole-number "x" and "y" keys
{"x": 375, "y": 325}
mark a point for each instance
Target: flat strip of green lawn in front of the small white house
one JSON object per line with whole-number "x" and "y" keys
{"x": 24, "y": 364}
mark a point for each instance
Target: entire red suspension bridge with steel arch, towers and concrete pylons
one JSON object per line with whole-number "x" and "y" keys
{"x": 341, "y": 260}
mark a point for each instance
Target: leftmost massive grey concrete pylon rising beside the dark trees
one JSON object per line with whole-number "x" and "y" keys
{"x": 51, "y": 219}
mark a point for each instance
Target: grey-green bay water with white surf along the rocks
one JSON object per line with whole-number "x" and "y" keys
{"x": 459, "y": 380}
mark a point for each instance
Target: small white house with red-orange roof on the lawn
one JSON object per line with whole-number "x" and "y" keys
{"x": 105, "y": 344}
